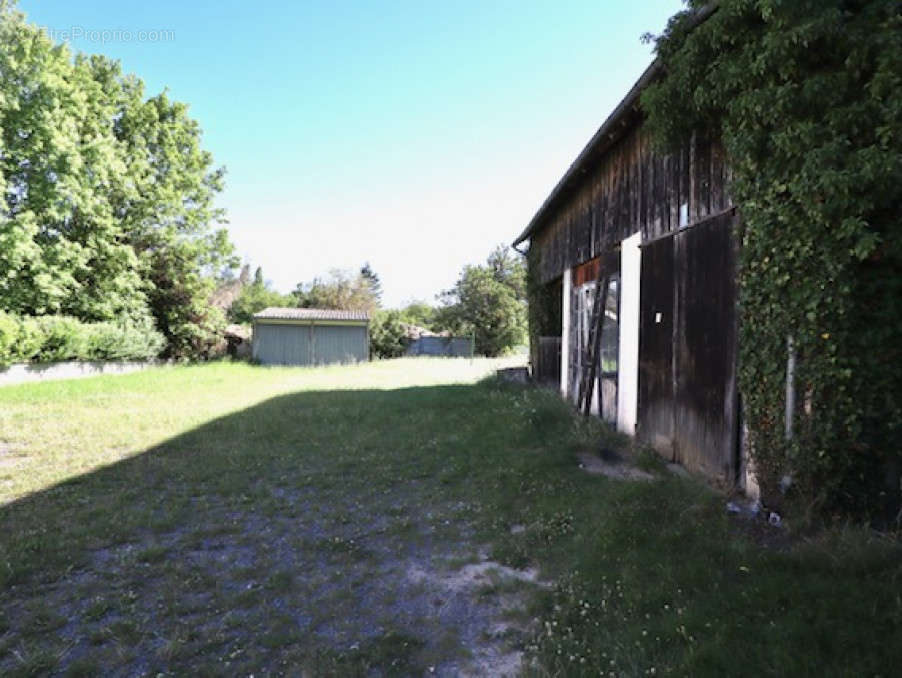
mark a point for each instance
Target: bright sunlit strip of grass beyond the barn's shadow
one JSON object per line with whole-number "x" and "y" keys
{"x": 56, "y": 430}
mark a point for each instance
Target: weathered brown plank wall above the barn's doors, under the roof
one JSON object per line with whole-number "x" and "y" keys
{"x": 632, "y": 187}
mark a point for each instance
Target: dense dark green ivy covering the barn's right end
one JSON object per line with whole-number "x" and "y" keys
{"x": 807, "y": 99}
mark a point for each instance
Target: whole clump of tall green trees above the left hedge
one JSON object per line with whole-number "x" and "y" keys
{"x": 107, "y": 209}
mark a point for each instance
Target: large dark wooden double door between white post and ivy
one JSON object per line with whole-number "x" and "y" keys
{"x": 687, "y": 348}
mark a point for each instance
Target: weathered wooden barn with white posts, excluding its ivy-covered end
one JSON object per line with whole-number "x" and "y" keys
{"x": 653, "y": 238}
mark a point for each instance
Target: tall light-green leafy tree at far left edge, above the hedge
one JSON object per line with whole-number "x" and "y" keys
{"x": 62, "y": 245}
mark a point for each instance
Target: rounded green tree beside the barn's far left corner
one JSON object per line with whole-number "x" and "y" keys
{"x": 489, "y": 302}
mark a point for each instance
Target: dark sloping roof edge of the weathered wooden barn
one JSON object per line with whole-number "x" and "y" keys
{"x": 603, "y": 138}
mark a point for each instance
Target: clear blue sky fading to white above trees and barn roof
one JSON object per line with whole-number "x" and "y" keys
{"x": 413, "y": 135}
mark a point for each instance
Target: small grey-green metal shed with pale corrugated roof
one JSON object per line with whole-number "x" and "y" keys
{"x": 310, "y": 336}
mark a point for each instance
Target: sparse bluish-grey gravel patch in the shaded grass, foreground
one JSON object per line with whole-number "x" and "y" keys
{"x": 334, "y": 572}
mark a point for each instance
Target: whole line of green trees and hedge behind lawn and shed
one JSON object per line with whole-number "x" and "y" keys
{"x": 108, "y": 217}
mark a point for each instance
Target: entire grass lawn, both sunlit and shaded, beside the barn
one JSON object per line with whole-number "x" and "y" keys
{"x": 395, "y": 518}
